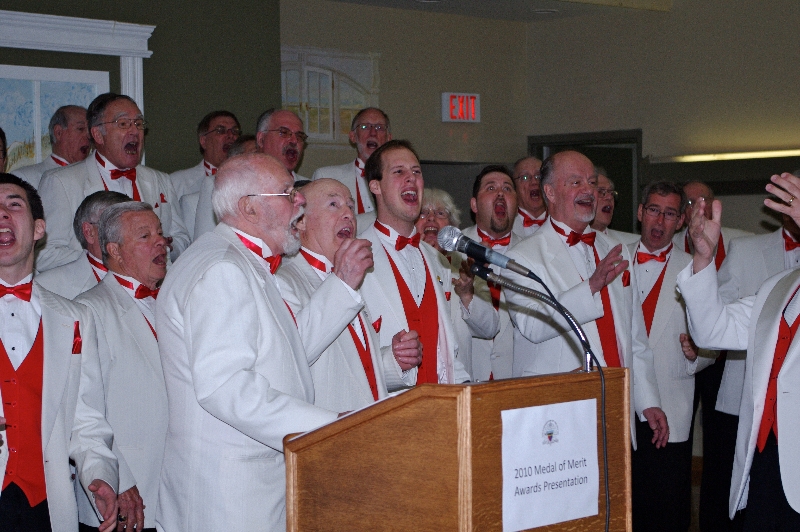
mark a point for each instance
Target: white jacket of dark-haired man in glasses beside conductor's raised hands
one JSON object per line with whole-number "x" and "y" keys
{"x": 675, "y": 382}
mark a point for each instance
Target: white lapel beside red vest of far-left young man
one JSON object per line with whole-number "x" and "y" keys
{"x": 59, "y": 331}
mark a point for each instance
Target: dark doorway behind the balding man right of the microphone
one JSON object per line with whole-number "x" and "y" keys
{"x": 619, "y": 152}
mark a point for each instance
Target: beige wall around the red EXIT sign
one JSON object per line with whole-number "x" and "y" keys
{"x": 423, "y": 55}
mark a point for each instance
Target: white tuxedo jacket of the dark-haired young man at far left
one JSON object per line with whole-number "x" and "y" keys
{"x": 72, "y": 428}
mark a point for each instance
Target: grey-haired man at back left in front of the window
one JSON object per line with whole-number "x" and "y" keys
{"x": 69, "y": 139}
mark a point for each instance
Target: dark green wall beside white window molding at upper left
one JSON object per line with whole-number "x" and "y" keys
{"x": 207, "y": 55}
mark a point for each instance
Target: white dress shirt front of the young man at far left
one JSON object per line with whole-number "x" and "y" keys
{"x": 19, "y": 323}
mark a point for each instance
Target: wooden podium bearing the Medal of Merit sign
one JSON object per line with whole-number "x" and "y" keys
{"x": 430, "y": 458}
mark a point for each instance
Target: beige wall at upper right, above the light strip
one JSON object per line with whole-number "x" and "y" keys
{"x": 709, "y": 76}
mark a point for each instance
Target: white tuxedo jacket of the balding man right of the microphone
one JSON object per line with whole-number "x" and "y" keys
{"x": 544, "y": 343}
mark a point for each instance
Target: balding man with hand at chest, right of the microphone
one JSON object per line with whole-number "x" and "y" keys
{"x": 589, "y": 275}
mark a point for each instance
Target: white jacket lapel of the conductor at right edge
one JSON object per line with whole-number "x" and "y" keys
{"x": 766, "y": 331}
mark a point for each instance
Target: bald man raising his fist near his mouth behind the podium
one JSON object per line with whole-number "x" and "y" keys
{"x": 348, "y": 375}
